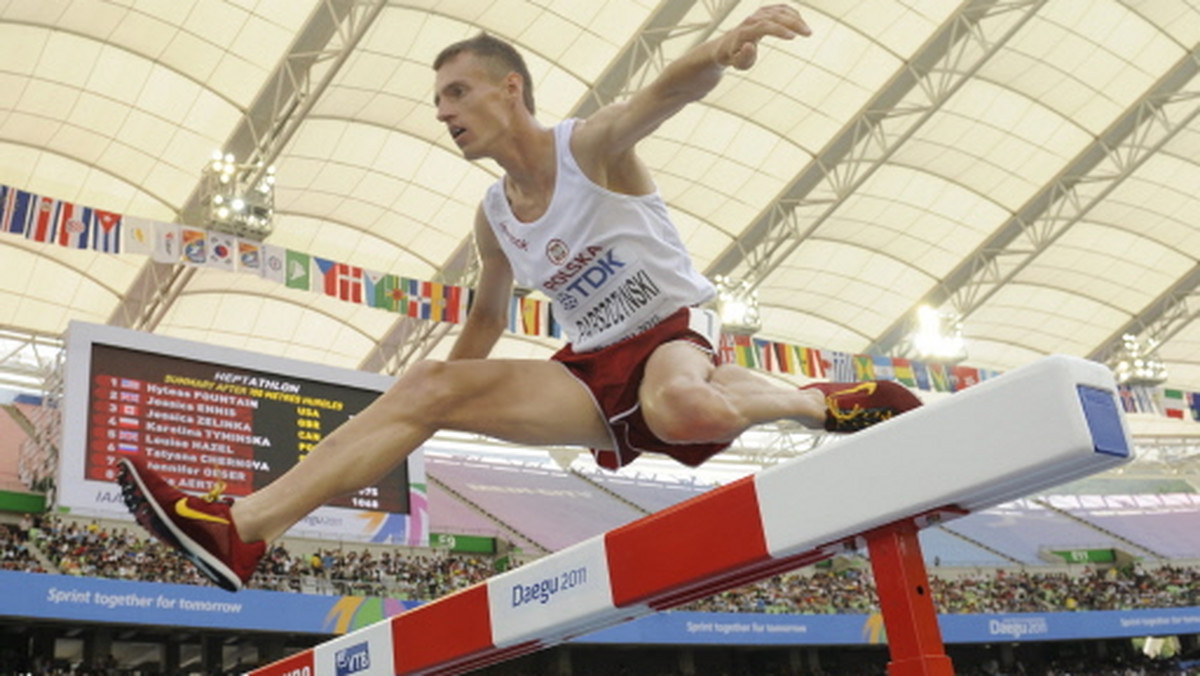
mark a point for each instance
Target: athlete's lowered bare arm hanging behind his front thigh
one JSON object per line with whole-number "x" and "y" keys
{"x": 490, "y": 312}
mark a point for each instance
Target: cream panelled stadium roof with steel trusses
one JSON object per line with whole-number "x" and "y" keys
{"x": 1034, "y": 166}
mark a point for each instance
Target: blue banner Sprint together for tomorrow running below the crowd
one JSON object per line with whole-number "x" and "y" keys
{"x": 94, "y": 600}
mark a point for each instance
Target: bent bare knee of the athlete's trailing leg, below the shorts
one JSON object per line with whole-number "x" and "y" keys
{"x": 688, "y": 412}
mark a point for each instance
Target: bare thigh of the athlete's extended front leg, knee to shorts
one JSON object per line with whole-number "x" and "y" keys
{"x": 525, "y": 402}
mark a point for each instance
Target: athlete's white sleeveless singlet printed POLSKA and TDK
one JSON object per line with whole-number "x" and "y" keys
{"x": 614, "y": 265}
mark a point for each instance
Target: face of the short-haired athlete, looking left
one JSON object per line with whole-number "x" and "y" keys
{"x": 472, "y": 104}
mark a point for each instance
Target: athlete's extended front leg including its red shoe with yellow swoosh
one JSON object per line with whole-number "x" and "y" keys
{"x": 535, "y": 403}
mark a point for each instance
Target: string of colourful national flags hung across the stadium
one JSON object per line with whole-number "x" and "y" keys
{"x": 53, "y": 222}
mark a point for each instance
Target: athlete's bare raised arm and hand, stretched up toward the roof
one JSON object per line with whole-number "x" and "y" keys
{"x": 617, "y": 128}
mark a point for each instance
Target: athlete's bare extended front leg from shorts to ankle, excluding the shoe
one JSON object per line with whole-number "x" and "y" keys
{"x": 535, "y": 403}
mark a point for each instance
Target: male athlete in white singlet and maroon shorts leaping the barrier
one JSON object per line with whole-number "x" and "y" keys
{"x": 578, "y": 217}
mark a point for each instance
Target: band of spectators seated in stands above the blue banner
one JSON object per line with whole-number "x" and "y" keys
{"x": 119, "y": 553}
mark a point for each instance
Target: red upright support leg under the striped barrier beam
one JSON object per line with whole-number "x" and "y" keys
{"x": 907, "y": 602}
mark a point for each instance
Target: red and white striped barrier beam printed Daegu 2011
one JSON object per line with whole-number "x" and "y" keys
{"x": 1049, "y": 423}
